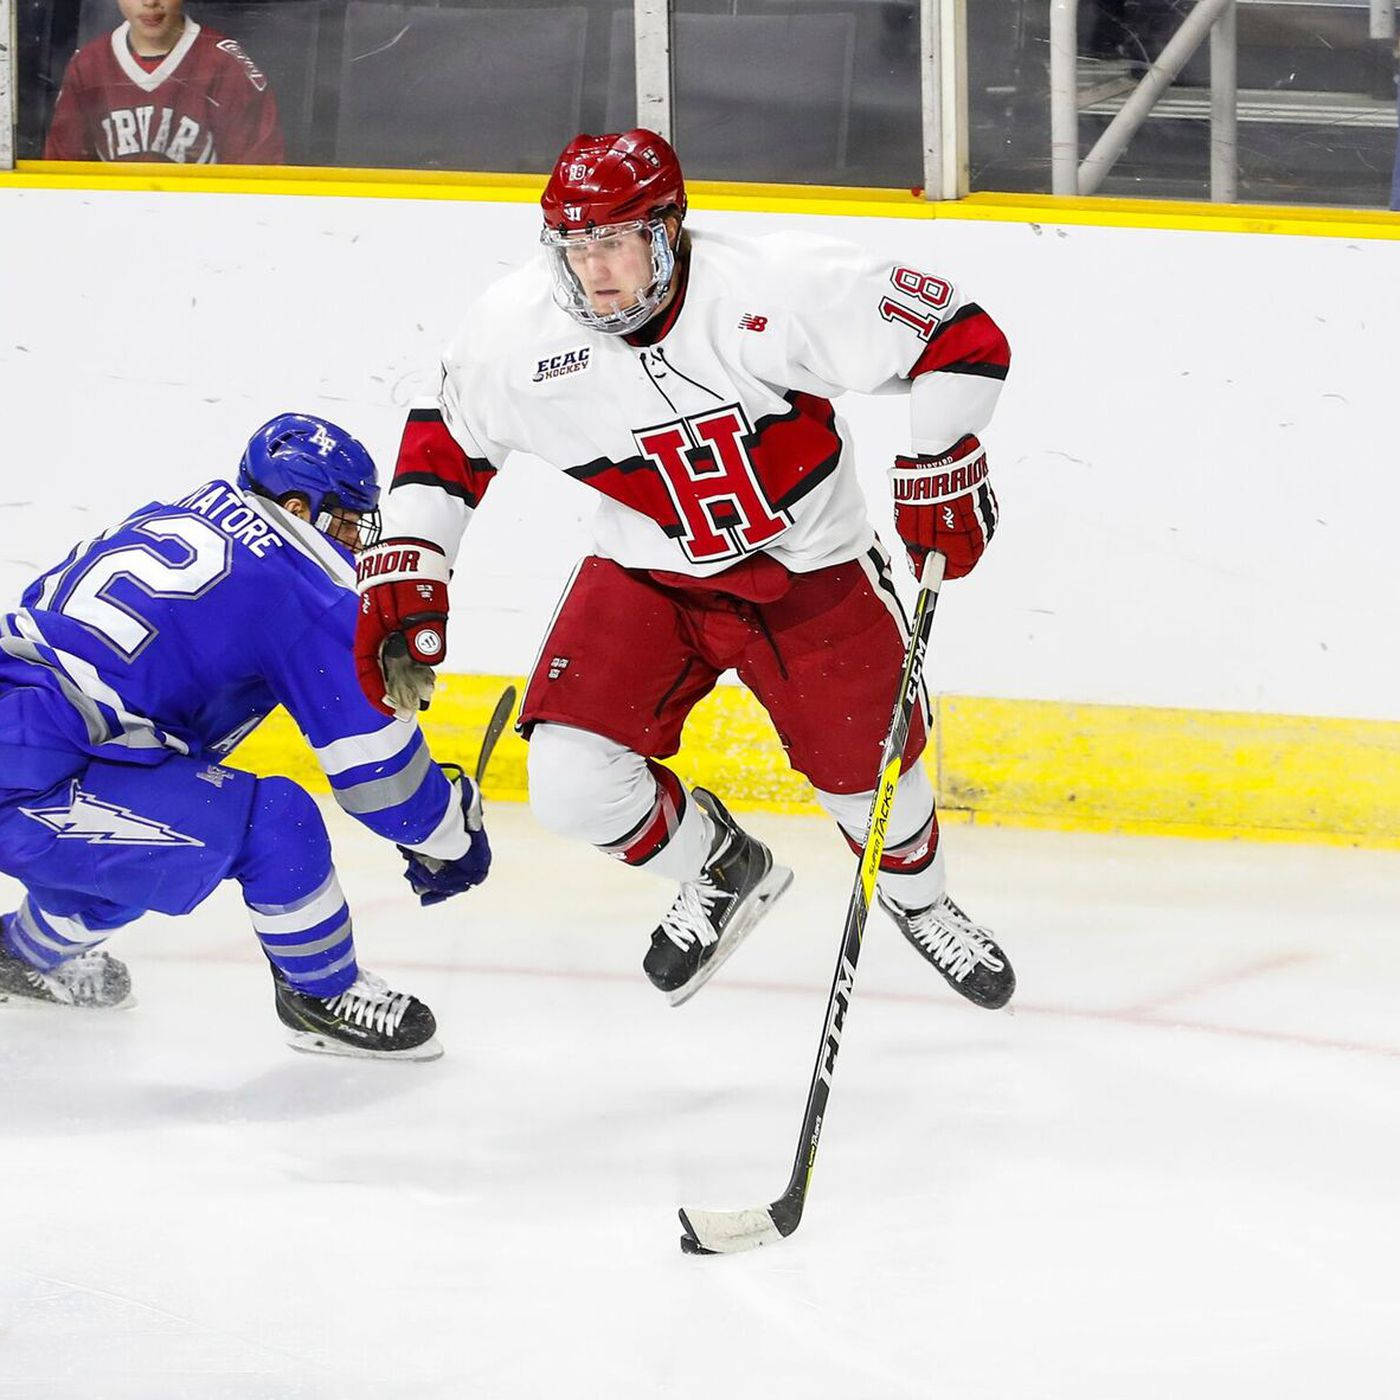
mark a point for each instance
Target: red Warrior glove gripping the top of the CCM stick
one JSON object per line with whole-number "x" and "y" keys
{"x": 944, "y": 503}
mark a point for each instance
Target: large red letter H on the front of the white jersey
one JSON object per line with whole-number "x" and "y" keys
{"x": 713, "y": 485}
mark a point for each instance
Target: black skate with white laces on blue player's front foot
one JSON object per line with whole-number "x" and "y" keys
{"x": 367, "y": 1020}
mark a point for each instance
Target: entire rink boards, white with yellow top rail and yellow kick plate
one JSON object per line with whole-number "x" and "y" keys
{"x": 1185, "y": 621}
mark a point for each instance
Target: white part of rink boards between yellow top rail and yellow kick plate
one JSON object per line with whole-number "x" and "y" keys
{"x": 1195, "y": 454}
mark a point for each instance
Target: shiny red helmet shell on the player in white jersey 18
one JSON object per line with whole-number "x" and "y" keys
{"x": 612, "y": 180}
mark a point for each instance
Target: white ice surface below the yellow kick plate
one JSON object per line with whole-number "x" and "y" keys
{"x": 1172, "y": 1171}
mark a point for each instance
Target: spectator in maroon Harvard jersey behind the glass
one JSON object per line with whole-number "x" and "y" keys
{"x": 164, "y": 89}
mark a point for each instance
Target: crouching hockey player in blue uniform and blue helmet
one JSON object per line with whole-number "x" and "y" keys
{"x": 128, "y": 674}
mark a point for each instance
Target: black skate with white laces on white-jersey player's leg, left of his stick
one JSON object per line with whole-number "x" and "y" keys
{"x": 715, "y": 913}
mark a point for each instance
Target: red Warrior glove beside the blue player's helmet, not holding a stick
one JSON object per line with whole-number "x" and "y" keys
{"x": 401, "y": 632}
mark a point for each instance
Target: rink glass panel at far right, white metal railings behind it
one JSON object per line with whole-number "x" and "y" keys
{"x": 1317, "y": 100}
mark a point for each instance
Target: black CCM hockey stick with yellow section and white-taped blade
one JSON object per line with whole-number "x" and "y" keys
{"x": 729, "y": 1233}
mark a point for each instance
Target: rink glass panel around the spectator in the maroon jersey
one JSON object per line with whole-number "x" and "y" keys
{"x": 428, "y": 86}
